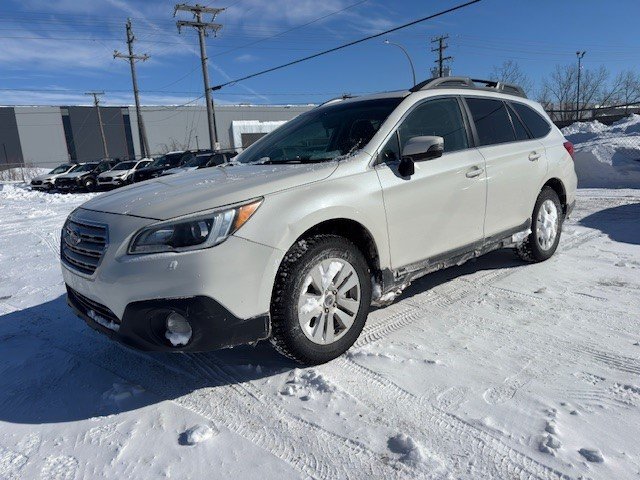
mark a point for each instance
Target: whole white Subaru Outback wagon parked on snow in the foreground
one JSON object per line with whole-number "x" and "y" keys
{"x": 338, "y": 209}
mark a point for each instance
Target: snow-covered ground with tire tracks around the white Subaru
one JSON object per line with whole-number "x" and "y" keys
{"x": 494, "y": 369}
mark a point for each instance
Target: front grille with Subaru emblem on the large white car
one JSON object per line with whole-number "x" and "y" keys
{"x": 82, "y": 245}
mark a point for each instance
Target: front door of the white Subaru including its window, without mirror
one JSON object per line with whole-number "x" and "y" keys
{"x": 440, "y": 209}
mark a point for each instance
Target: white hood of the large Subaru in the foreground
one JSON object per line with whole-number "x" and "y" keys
{"x": 176, "y": 195}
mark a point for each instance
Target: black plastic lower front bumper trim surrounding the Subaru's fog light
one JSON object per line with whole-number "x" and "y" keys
{"x": 143, "y": 323}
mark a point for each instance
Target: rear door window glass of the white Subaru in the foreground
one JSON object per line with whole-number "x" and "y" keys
{"x": 492, "y": 121}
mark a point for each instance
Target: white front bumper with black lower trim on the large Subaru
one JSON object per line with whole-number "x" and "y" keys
{"x": 227, "y": 288}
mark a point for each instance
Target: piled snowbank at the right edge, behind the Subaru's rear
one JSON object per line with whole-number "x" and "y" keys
{"x": 607, "y": 156}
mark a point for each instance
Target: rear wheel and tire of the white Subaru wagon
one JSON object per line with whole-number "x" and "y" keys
{"x": 546, "y": 228}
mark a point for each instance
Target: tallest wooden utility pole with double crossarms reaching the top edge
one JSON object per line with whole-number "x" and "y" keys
{"x": 203, "y": 31}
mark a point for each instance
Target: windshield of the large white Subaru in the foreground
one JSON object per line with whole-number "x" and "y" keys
{"x": 322, "y": 134}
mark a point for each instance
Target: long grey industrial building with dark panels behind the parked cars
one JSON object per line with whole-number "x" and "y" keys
{"x": 46, "y": 136}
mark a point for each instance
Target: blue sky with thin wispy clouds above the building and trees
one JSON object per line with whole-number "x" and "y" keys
{"x": 56, "y": 50}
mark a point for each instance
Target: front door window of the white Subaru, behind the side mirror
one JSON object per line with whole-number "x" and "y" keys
{"x": 440, "y": 117}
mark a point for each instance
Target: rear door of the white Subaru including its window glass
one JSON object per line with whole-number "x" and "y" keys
{"x": 515, "y": 163}
